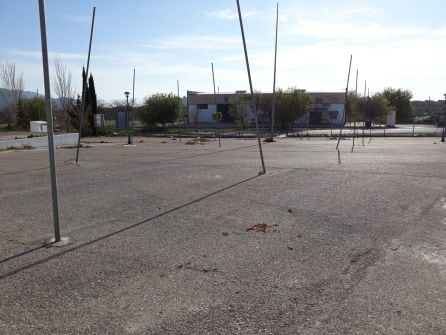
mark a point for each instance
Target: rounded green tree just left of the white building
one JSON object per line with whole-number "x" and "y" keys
{"x": 160, "y": 108}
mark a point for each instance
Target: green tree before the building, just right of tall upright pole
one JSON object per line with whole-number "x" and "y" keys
{"x": 290, "y": 105}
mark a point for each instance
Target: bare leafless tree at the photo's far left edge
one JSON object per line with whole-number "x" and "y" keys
{"x": 14, "y": 85}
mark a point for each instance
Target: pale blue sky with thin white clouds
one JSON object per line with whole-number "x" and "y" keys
{"x": 394, "y": 44}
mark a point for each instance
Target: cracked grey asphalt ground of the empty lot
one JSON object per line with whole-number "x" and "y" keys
{"x": 163, "y": 245}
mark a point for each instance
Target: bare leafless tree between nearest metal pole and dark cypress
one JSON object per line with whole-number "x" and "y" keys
{"x": 63, "y": 89}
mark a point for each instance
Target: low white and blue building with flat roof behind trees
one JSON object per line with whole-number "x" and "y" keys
{"x": 327, "y": 110}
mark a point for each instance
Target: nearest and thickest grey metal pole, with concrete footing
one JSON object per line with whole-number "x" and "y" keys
{"x": 49, "y": 117}
